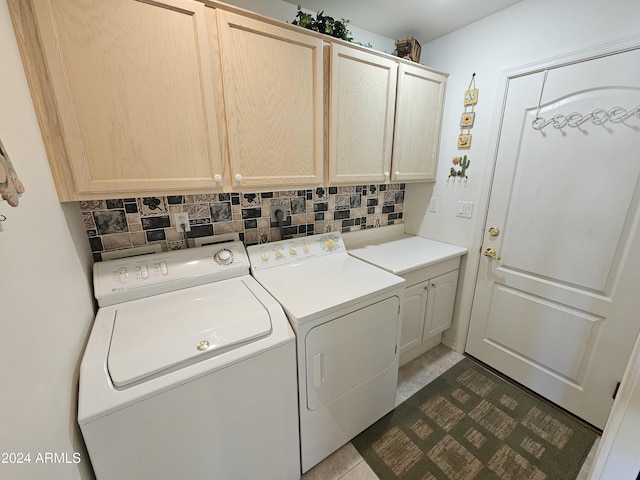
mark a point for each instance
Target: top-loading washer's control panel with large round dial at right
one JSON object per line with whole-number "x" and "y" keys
{"x": 130, "y": 278}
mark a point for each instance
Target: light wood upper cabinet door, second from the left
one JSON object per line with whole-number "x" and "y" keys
{"x": 273, "y": 90}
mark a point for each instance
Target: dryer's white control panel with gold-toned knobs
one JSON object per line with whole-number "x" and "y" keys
{"x": 285, "y": 252}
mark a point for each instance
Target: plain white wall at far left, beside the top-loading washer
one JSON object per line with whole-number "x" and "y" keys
{"x": 46, "y": 303}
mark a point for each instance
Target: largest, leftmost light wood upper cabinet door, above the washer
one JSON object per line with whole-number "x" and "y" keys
{"x": 131, "y": 96}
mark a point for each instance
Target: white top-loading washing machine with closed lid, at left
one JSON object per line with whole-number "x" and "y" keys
{"x": 189, "y": 372}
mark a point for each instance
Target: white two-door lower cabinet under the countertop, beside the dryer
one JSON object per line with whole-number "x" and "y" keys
{"x": 428, "y": 309}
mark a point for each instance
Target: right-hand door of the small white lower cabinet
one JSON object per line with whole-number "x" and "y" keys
{"x": 442, "y": 297}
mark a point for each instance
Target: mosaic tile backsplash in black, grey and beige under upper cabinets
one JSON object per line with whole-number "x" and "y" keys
{"x": 134, "y": 222}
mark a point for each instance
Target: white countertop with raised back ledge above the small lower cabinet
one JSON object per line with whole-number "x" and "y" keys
{"x": 397, "y": 252}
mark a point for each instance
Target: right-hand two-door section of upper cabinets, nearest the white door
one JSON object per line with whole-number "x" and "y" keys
{"x": 385, "y": 118}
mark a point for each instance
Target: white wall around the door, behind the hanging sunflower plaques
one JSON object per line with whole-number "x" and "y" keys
{"x": 528, "y": 32}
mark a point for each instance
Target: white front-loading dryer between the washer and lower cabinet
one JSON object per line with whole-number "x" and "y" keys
{"x": 347, "y": 318}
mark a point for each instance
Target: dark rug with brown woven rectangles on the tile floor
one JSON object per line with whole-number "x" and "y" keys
{"x": 469, "y": 424}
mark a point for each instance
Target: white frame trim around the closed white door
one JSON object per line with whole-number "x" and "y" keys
{"x": 598, "y": 51}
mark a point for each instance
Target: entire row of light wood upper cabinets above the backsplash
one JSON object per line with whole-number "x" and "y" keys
{"x": 147, "y": 97}
